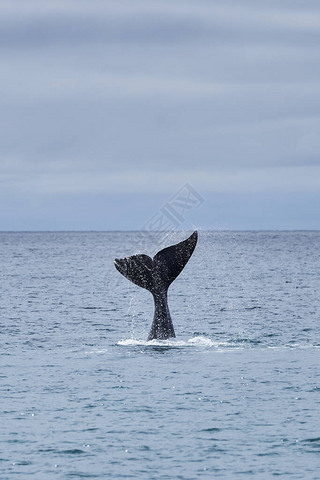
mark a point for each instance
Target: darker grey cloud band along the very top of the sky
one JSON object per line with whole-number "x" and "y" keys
{"x": 79, "y": 23}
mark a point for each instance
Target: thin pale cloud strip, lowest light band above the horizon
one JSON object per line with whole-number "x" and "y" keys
{"x": 275, "y": 179}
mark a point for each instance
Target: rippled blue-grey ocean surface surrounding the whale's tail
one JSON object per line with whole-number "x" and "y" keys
{"x": 235, "y": 396}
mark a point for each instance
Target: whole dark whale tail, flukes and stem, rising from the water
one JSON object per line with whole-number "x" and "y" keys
{"x": 156, "y": 275}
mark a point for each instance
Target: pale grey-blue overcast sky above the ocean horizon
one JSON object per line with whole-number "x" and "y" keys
{"x": 109, "y": 108}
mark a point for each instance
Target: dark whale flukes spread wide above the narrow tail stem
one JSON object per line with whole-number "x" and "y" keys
{"x": 158, "y": 273}
